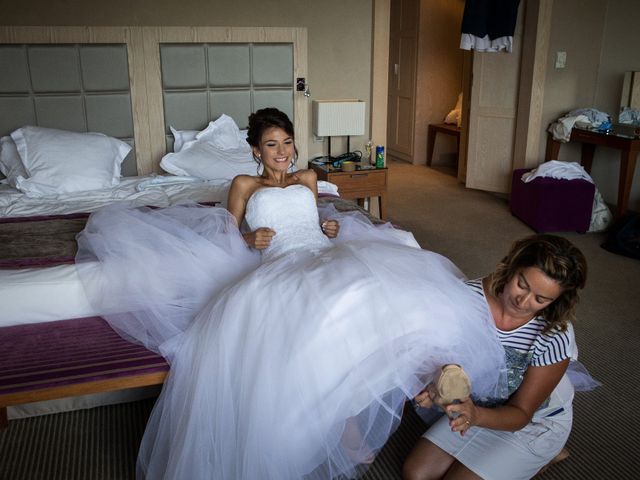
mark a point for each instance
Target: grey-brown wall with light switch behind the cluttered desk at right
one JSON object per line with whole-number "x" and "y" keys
{"x": 601, "y": 44}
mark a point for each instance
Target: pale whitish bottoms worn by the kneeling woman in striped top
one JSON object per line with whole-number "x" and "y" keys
{"x": 499, "y": 455}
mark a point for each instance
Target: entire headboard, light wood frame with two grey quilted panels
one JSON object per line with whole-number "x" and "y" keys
{"x": 133, "y": 82}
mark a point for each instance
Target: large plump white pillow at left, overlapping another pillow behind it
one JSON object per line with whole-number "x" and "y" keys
{"x": 58, "y": 161}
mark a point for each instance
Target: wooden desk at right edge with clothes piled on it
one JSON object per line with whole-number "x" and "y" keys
{"x": 629, "y": 148}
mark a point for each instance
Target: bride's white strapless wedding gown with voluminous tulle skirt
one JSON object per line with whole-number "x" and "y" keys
{"x": 293, "y": 365}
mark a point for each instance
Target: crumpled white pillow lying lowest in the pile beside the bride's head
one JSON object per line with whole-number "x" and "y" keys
{"x": 204, "y": 160}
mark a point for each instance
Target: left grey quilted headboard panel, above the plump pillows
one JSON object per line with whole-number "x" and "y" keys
{"x": 76, "y": 87}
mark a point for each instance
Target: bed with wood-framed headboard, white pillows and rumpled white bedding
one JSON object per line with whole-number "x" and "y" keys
{"x": 104, "y": 114}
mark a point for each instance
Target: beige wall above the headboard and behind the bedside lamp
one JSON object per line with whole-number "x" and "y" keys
{"x": 339, "y": 33}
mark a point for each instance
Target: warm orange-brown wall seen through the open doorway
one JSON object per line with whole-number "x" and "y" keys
{"x": 439, "y": 74}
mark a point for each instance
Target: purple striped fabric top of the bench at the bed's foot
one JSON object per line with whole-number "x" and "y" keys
{"x": 65, "y": 352}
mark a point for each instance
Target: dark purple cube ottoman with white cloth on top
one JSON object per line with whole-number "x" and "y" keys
{"x": 552, "y": 205}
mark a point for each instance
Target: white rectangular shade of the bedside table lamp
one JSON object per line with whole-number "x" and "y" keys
{"x": 338, "y": 117}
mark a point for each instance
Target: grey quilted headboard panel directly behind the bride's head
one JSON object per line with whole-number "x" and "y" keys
{"x": 202, "y": 81}
